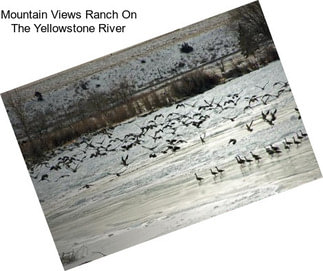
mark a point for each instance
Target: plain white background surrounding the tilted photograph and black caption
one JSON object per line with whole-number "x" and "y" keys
{"x": 283, "y": 232}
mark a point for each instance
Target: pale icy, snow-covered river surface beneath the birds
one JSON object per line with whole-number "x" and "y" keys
{"x": 110, "y": 190}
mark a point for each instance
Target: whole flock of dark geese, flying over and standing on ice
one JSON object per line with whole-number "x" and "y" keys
{"x": 161, "y": 134}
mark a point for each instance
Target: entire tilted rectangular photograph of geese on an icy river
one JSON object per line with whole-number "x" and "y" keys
{"x": 161, "y": 135}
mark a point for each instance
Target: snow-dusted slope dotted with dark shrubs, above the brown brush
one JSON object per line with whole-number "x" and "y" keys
{"x": 140, "y": 66}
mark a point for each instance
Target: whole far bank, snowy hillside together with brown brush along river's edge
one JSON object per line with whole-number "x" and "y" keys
{"x": 51, "y": 111}
